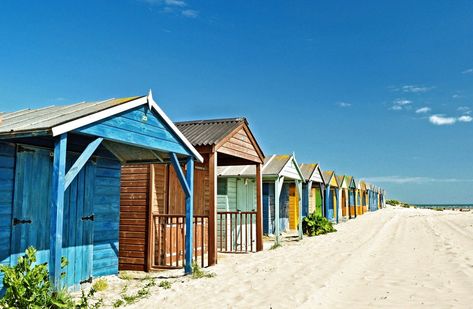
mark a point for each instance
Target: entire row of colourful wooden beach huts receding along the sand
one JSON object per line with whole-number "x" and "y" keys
{"x": 115, "y": 185}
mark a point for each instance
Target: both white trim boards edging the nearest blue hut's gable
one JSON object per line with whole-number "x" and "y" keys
{"x": 78, "y": 123}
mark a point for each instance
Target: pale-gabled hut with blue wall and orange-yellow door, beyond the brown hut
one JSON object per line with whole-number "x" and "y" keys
{"x": 282, "y": 192}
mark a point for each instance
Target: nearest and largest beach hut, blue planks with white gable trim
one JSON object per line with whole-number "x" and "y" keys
{"x": 60, "y": 180}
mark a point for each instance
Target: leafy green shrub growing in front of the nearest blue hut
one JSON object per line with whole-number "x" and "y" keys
{"x": 27, "y": 285}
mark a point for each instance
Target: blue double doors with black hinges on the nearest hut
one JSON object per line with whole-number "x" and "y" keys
{"x": 31, "y": 213}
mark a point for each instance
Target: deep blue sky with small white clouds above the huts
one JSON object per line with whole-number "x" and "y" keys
{"x": 378, "y": 89}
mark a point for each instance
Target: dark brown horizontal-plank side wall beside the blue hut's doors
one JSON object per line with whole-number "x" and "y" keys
{"x": 133, "y": 209}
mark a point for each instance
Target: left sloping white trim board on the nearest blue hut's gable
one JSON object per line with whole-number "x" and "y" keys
{"x": 78, "y": 123}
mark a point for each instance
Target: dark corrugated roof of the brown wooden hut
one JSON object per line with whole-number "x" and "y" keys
{"x": 208, "y": 132}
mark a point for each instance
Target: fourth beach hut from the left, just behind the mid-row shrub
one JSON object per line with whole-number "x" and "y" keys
{"x": 312, "y": 189}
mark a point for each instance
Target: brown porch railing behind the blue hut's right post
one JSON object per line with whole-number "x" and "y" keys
{"x": 169, "y": 240}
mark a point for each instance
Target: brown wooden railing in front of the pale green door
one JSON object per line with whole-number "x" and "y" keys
{"x": 236, "y": 231}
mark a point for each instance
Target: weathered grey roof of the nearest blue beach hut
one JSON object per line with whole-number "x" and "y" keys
{"x": 30, "y": 120}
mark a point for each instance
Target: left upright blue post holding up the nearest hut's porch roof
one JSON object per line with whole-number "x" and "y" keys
{"x": 57, "y": 209}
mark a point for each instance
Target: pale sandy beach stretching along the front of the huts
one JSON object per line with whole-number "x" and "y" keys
{"x": 396, "y": 257}
